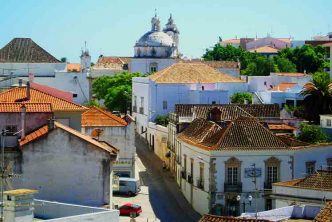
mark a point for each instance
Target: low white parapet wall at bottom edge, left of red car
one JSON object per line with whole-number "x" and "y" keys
{"x": 56, "y": 211}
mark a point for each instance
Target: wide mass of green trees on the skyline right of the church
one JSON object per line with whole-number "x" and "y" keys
{"x": 307, "y": 57}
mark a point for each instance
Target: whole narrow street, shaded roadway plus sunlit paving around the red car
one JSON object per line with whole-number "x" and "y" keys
{"x": 160, "y": 196}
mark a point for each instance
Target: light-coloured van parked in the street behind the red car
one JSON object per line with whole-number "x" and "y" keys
{"x": 129, "y": 186}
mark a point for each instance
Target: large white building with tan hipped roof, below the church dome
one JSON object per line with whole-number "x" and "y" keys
{"x": 181, "y": 83}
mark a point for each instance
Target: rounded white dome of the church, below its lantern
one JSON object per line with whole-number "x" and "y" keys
{"x": 155, "y": 38}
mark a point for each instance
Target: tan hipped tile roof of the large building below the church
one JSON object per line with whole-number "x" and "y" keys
{"x": 191, "y": 73}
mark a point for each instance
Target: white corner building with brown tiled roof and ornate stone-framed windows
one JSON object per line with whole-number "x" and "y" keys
{"x": 217, "y": 161}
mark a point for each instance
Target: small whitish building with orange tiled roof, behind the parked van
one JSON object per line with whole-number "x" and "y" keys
{"x": 120, "y": 133}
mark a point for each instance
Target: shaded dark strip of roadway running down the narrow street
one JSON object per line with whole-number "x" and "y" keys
{"x": 167, "y": 201}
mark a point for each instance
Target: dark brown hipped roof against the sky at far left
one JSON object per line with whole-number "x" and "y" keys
{"x": 25, "y": 50}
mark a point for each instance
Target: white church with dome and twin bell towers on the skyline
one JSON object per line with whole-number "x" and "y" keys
{"x": 156, "y": 49}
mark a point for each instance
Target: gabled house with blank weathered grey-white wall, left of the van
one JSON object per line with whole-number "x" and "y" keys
{"x": 65, "y": 165}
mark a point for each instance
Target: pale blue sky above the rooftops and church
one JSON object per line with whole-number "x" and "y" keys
{"x": 111, "y": 27}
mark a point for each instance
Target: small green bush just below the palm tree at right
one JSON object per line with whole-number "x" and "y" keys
{"x": 312, "y": 134}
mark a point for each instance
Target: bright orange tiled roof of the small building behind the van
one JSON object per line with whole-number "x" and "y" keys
{"x": 98, "y": 117}
